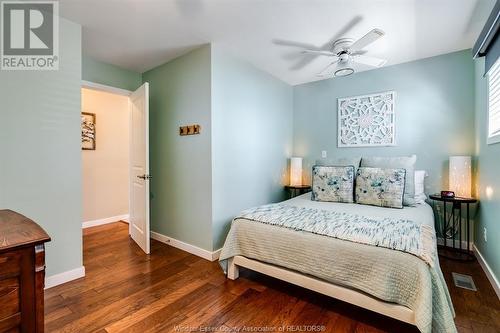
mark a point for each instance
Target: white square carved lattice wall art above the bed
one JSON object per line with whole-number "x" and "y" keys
{"x": 367, "y": 121}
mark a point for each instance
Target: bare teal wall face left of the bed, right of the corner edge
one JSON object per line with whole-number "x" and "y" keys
{"x": 252, "y": 124}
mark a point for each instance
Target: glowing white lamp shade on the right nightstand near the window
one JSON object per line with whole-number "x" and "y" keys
{"x": 461, "y": 175}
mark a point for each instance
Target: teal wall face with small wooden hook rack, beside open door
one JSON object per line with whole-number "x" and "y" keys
{"x": 180, "y": 94}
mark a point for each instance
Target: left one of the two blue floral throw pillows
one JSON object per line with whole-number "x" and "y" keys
{"x": 332, "y": 183}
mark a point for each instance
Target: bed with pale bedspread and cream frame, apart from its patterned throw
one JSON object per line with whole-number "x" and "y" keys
{"x": 393, "y": 283}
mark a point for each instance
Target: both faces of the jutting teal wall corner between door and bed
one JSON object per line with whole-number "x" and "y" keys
{"x": 238, "y": 160}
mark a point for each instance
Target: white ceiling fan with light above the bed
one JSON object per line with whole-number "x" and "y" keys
{"x": 346, "y": 53}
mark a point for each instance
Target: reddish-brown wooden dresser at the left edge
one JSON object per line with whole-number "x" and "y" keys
{"x": 22, "y": 273}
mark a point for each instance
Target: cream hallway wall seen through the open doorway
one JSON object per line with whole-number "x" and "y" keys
{"x": 105, "y": 171}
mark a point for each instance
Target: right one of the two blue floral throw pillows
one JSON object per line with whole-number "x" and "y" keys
{"x": 380, "y": 187}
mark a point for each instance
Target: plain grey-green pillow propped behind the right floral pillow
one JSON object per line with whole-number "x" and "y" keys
{"x": 405, "y": 162}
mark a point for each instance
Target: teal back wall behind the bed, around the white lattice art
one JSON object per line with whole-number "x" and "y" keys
{"x": 434, "y": 113}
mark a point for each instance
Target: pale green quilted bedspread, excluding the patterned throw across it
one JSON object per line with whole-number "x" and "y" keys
{"x": 389, "y": 275}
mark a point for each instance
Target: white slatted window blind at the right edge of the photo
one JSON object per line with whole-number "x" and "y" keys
{"x": 494, "y": 101}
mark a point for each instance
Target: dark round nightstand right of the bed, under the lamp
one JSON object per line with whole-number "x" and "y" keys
{"x": 452, "y": 222}
